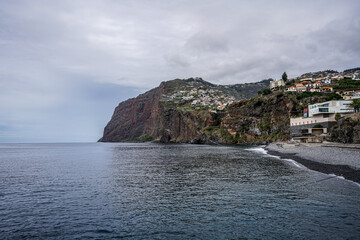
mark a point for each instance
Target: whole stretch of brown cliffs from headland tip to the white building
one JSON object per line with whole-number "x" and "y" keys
{"x": 161, "y": 115}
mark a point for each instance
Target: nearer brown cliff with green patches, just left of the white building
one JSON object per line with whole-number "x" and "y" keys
{"x": 259, "y": 119}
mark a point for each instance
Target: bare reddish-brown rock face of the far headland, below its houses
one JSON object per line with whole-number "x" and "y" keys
{"x": 147, "y": 115}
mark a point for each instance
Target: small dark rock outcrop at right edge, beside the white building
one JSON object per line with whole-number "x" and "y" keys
{"x": 347, "y": 130}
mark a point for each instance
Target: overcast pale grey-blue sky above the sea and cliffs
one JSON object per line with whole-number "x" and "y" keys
{"x": 65, "y": 65}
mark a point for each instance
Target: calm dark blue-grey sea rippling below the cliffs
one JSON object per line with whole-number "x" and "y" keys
{"x": 153, "y": 191}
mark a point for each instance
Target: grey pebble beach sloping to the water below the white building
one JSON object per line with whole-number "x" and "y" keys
{"x": 330, "y": 158}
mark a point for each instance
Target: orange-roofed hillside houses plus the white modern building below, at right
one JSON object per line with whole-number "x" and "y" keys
{"x": 318, "y": 118}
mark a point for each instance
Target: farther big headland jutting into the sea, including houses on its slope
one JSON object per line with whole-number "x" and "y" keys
{"x": 177, "y": 111}
